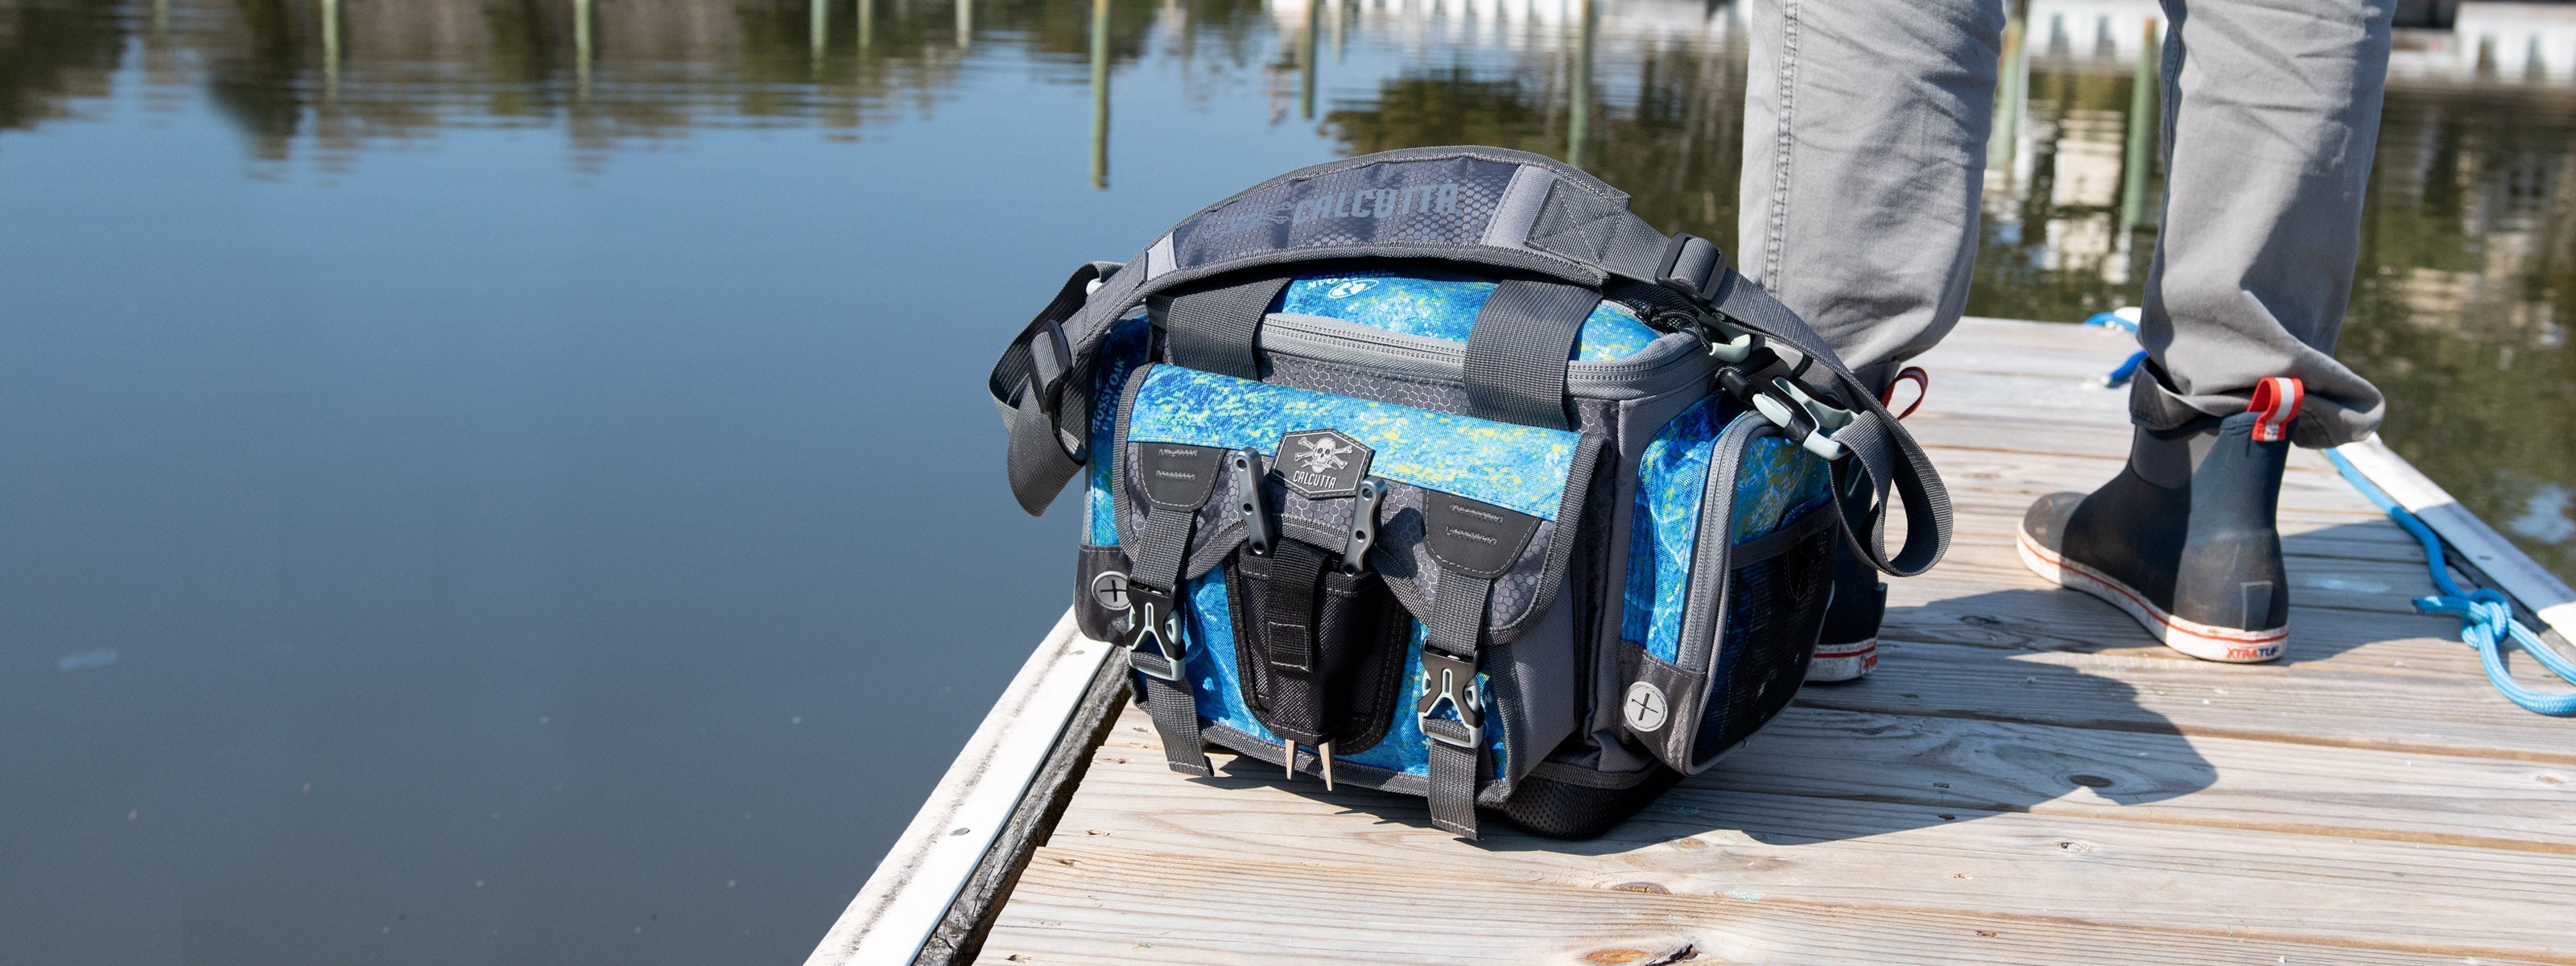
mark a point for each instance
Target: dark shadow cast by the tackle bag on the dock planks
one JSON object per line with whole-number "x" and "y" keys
{"x": 1936, "y": 735}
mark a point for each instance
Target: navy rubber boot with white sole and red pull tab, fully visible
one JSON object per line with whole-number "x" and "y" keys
{"x": 2186, "y": 540}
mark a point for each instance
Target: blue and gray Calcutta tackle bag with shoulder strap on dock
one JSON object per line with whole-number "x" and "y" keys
{"x": 1441, "y": 473}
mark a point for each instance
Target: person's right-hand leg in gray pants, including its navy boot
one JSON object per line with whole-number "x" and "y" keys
{"x": 2271, "y": 120}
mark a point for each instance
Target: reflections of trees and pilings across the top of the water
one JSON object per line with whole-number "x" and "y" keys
{"x": 2461, "y": 305}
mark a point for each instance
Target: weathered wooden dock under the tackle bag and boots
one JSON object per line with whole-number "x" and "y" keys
{"x": 2023, "y": 779}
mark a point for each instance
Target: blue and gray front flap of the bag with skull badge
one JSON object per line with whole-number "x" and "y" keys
{"x": 1462, "y": 496}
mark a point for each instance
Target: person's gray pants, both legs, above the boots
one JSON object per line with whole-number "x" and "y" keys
{"x": 1866, "y": 146}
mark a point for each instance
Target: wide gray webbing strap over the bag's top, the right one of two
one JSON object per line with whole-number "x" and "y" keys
{"x": 1516, "y": 357}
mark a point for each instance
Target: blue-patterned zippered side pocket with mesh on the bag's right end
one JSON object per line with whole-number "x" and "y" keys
{"x": 1730, "y": 565}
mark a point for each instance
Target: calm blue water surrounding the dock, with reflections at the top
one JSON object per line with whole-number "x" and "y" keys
{"x": 511, "y": 483}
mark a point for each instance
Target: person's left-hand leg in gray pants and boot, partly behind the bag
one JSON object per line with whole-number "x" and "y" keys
{"x": 1864, "y": 161}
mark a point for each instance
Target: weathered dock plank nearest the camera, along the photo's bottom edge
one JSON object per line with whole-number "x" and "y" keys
{"x": 1078, "y": 913}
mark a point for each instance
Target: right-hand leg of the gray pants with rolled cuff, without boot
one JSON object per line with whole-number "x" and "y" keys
{"x": 2271, "y": 117}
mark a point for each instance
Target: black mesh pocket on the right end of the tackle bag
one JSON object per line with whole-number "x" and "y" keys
{"x": 1774, "y": 612}
